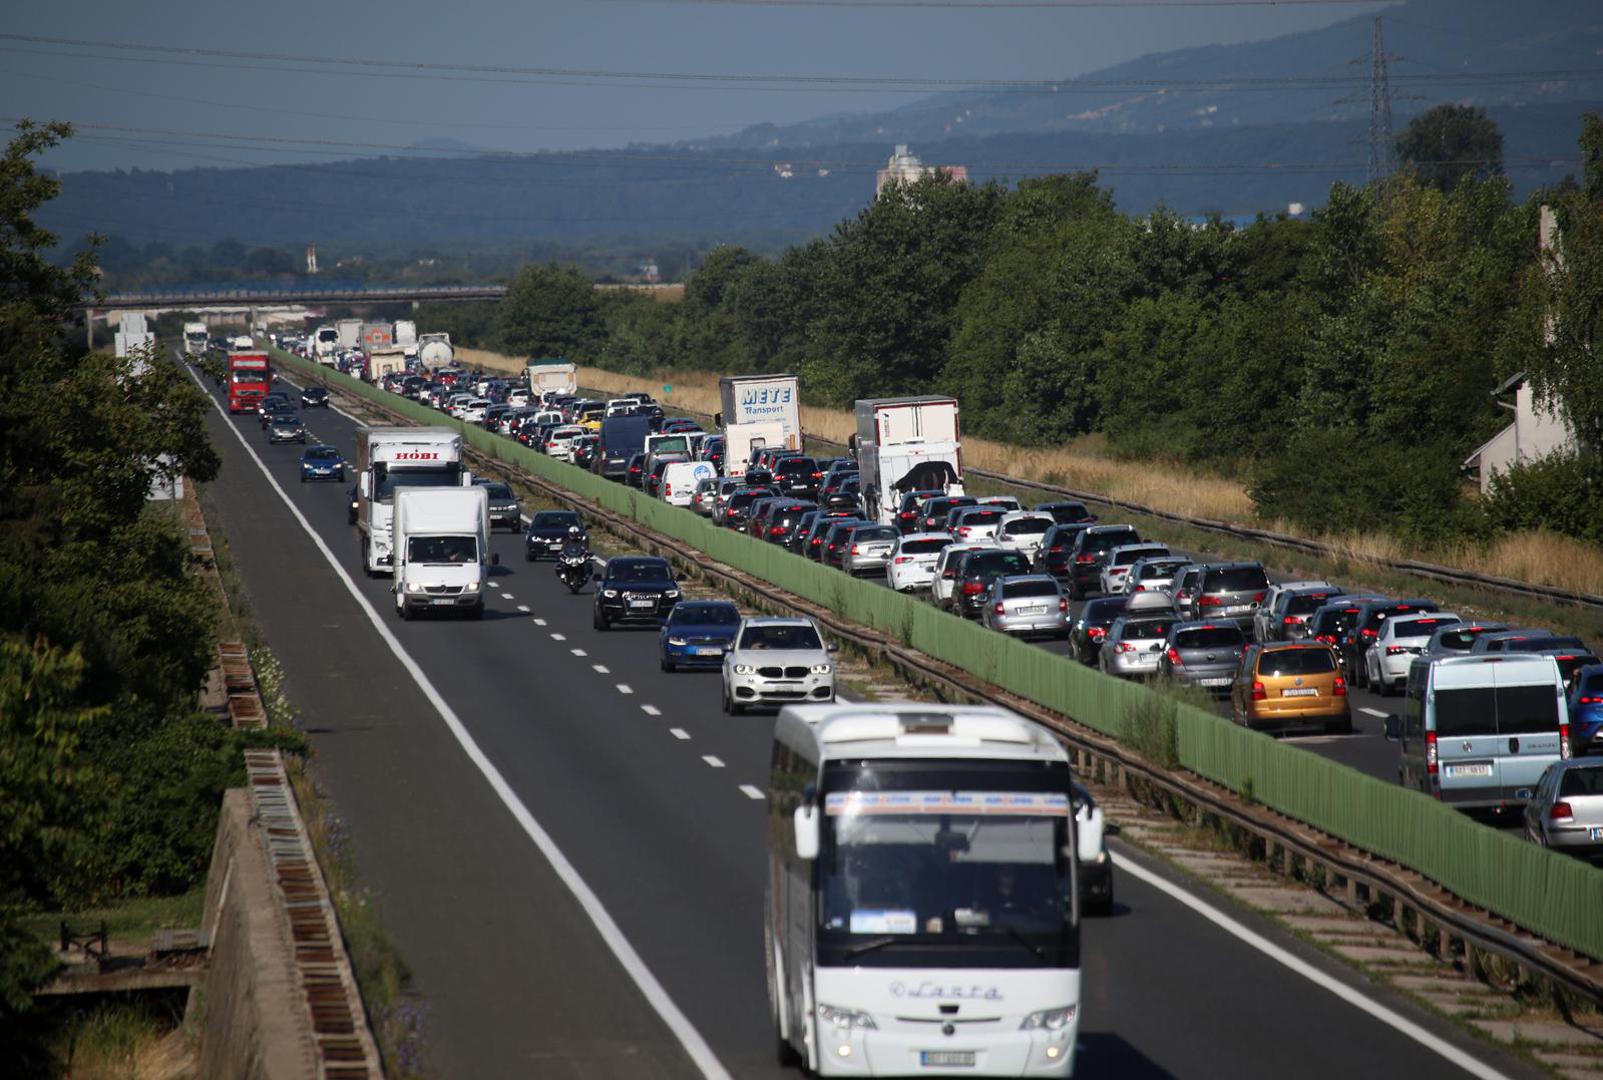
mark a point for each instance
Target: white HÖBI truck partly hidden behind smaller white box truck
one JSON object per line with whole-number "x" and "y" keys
{"x": 398, "y": 457}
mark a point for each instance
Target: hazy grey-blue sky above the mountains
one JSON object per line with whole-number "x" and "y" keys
{"x": 270, "y": 100}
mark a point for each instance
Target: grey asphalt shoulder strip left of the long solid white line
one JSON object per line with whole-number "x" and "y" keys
{"x": 480, "y": 922}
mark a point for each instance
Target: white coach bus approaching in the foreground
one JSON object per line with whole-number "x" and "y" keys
{"x": 923, "y": 893}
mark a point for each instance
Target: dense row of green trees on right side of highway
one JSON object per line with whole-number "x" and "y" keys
{"x": 1339, "y": 365}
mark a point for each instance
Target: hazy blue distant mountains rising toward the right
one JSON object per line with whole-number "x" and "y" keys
{"x": 1235, "y": 131}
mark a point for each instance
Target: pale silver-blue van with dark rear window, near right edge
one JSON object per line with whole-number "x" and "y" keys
{"x": 1479, "y": 731}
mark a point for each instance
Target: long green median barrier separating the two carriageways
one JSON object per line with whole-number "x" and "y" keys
{"x": 1551, "y": 895}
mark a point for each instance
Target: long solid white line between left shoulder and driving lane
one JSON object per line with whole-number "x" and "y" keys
{"x": 612, "y": 935}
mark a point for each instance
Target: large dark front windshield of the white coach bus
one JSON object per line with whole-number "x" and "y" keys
{"x": 947, "y": 879}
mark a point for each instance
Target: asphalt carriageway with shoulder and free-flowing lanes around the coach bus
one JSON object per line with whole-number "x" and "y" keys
{"x": 653, "y": 802}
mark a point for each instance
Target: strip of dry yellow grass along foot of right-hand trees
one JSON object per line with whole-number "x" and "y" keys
{"x": 1528, "y": 557}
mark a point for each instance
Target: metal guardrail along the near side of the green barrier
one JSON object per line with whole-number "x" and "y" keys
{"x": 1461, "y": 929}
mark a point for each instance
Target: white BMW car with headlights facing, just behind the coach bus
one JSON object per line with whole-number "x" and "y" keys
{"x": 777, "y": 663}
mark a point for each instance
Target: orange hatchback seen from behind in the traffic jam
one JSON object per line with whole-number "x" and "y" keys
{"x": 1286, "y": 685}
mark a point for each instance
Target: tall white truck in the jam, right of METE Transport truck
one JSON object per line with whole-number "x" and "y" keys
{"x": 906, "y": 445}
